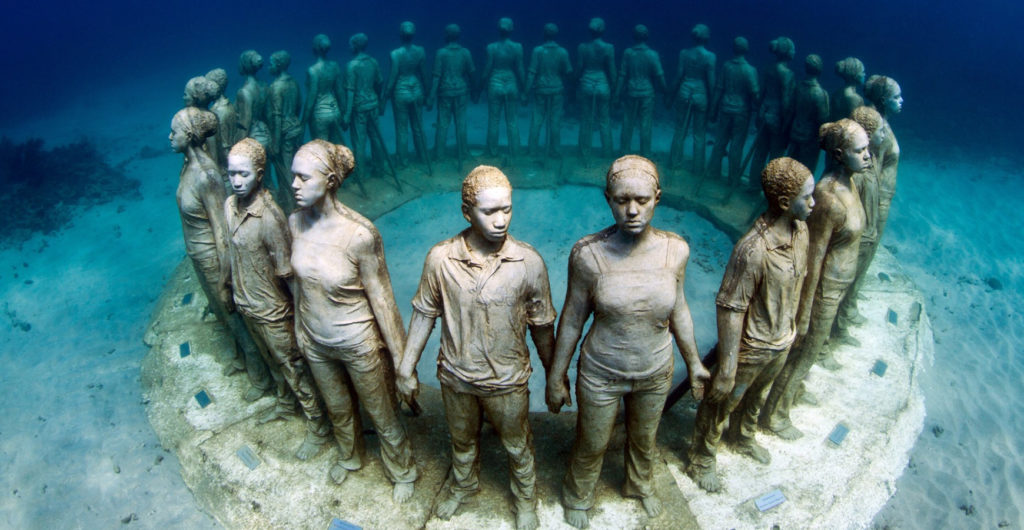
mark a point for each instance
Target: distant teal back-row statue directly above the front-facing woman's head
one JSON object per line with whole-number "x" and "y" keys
{"x": 641, "y": 79}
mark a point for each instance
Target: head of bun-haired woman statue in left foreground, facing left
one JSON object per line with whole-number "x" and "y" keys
{"x": 320, "y": 168}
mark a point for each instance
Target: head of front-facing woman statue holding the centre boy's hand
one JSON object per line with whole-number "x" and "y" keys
{"x": 633, "y": 189}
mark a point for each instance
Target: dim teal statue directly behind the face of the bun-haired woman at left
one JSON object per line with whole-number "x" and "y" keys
{"x": 284, "y": 112}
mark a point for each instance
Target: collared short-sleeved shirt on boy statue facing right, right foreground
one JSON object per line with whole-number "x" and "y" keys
{"x": 763, "y": 280}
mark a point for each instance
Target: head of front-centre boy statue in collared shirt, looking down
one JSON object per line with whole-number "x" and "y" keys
{"x": 487, "y": 202}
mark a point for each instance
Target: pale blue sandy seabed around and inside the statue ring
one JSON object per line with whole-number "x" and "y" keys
{"x": 76, "y": 451}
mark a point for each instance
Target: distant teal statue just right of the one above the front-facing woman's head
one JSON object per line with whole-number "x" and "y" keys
{"x": 695, "y": 81}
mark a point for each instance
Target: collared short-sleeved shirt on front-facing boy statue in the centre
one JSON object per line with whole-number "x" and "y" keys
{"x": 485, "y": 308}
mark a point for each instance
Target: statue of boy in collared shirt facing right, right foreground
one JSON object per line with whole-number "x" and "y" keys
{"x": 757, "y": 321}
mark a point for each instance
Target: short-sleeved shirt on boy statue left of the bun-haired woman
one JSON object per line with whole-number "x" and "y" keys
{"x": 261, "y": 253}
